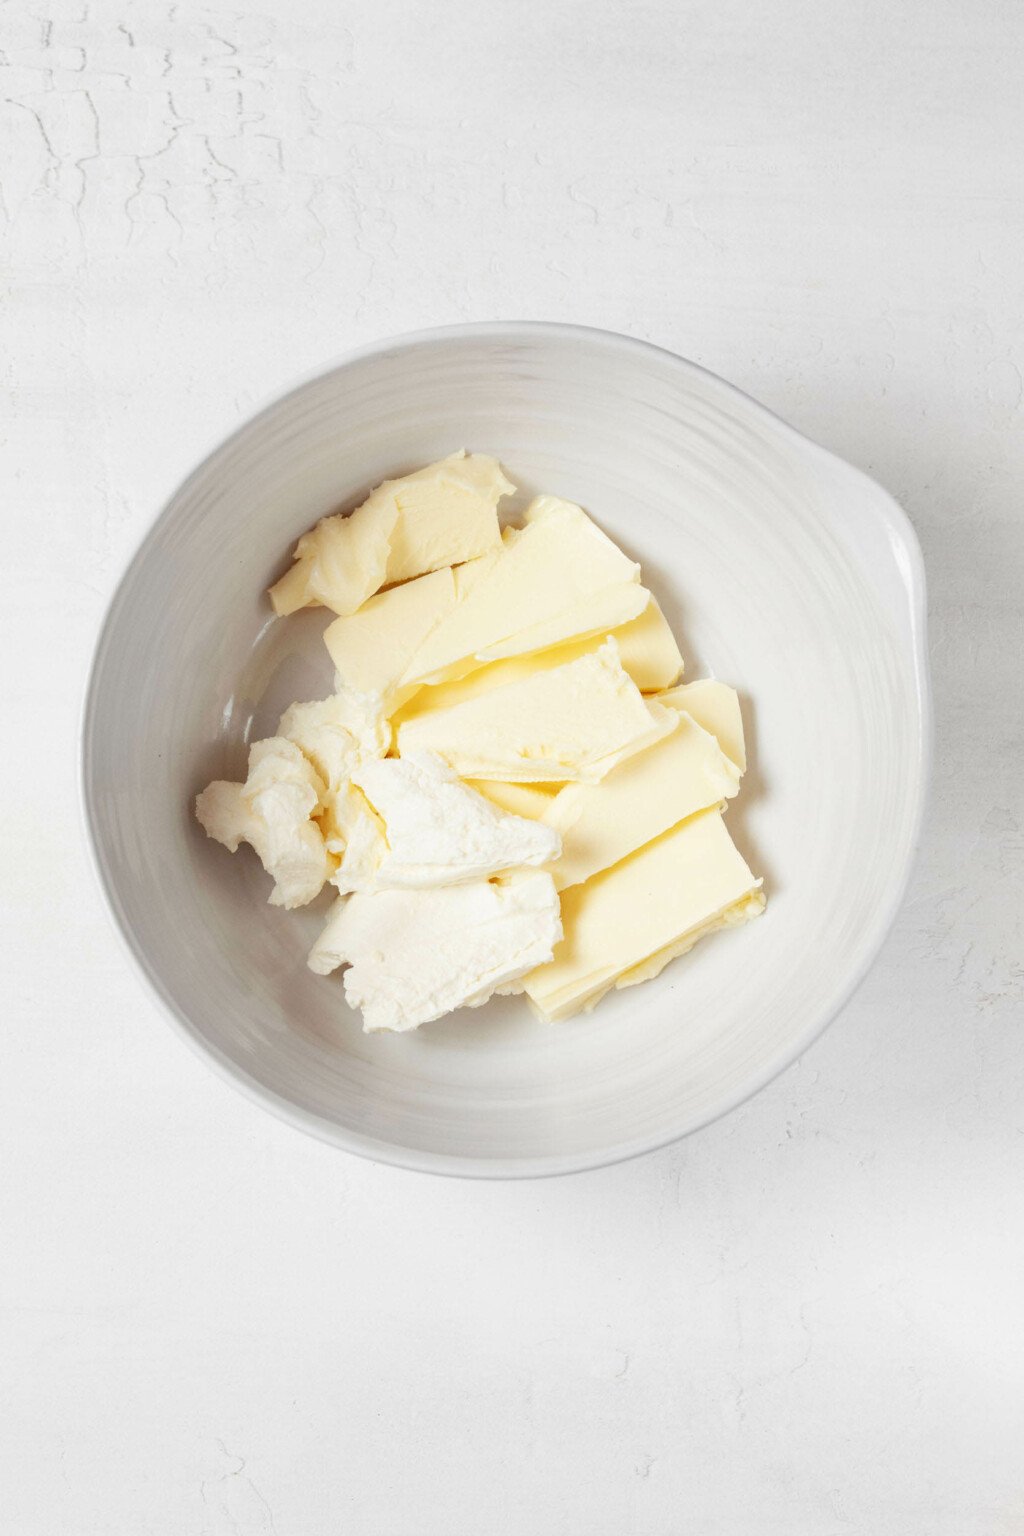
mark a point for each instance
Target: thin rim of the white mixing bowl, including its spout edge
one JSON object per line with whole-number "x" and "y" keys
{"x": 452, "y": 1165}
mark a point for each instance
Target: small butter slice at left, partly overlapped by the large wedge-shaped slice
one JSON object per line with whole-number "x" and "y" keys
{"x": 372, "y": 647}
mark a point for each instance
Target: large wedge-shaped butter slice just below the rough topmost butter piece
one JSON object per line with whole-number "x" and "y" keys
{"x": 555, "y": 580}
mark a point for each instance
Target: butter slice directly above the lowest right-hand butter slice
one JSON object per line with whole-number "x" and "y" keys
{"x": 638, "y": 801}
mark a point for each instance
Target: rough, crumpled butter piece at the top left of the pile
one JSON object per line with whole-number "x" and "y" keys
{"x": 441, "y": 515}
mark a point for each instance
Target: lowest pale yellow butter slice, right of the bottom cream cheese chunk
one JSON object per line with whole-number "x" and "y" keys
{"x": 629, "y": 922}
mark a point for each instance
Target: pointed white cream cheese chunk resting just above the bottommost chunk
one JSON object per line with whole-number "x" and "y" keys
{"x": 434, "y": 830}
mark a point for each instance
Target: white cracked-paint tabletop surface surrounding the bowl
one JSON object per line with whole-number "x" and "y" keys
{"x": 804, "y": 1322}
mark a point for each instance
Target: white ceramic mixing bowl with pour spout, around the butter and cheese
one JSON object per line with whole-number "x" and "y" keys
{"x": 785, "y": 572}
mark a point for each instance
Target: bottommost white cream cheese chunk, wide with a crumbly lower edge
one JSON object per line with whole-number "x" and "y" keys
{"x": 414, "y": 956}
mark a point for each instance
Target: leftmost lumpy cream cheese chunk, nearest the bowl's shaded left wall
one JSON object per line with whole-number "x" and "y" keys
{"x": 274, "y": 812}
